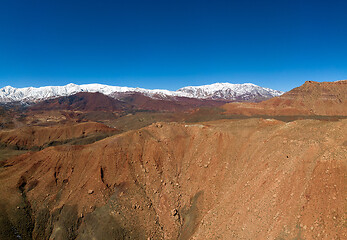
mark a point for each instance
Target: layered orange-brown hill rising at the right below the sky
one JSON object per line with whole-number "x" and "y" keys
{"x": 312, "y": 98}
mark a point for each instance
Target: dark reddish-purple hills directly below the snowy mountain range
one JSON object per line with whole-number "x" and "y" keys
{"x": 120, "y": 102}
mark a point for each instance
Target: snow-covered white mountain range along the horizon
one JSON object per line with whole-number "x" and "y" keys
{"x": 221, "y": 91}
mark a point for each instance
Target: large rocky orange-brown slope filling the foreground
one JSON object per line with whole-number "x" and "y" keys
{"x": 228, "y": 179}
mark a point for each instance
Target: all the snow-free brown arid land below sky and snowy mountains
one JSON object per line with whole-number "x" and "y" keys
{"x": 90, "y": 167}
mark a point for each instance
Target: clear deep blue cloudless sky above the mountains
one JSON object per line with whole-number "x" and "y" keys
{"x": 170, "y": 44}
